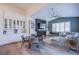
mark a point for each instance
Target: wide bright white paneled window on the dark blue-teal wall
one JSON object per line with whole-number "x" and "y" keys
{"x": 61, "y": 27}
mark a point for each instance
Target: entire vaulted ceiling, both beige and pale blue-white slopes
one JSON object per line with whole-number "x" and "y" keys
{"x": 41, "y": 10}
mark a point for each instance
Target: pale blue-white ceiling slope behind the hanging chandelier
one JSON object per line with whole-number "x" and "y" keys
{"x": 61, "y": 9}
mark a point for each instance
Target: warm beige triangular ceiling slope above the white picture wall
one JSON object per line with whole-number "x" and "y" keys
{"x": 29, "y": 8}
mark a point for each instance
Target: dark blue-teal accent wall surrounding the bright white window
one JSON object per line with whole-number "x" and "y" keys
{"x": 74, "y": 27}
